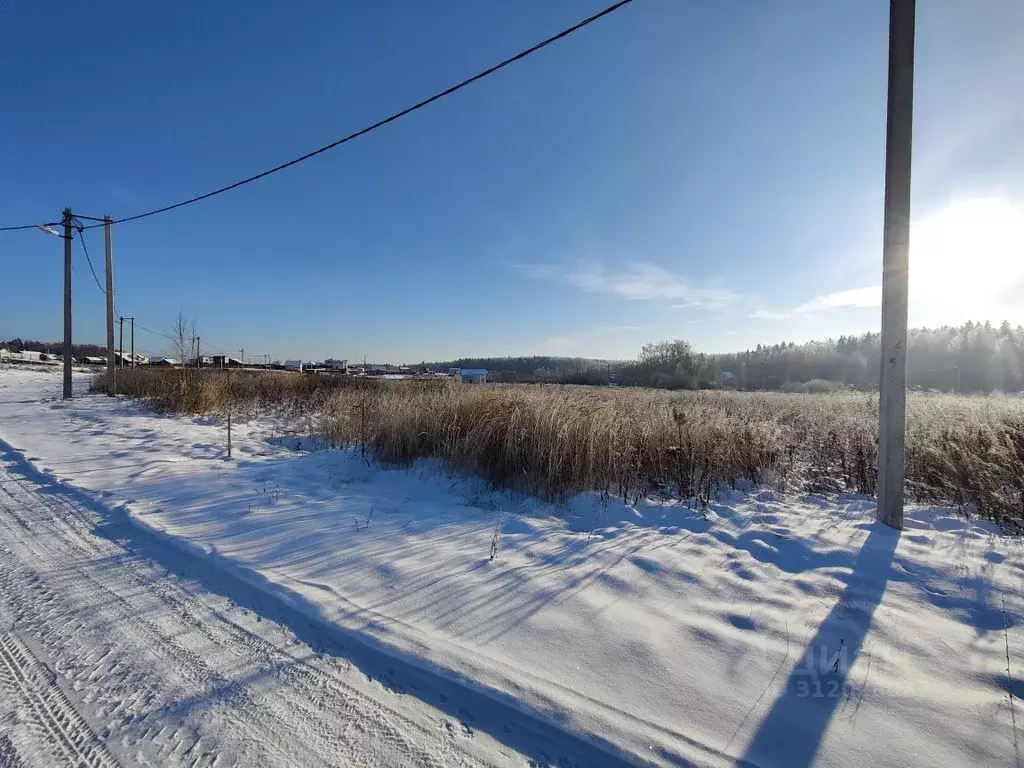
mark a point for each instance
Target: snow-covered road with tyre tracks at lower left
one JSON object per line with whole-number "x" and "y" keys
{"x": 115, "y": 650}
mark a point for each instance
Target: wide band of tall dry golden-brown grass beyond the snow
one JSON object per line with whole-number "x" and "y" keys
{"x": 553, "y": 442}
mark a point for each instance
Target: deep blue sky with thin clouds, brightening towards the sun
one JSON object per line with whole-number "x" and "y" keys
{"x": 705, "y": 170}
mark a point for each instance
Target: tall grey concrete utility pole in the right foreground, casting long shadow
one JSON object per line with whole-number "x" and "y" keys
{"x": 892, "y": 390}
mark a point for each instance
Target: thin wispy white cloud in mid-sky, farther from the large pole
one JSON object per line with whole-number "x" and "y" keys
{"x": 639, "y": 281}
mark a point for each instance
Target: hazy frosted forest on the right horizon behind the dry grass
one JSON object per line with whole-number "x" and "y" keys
{"x": 968, "y": 359}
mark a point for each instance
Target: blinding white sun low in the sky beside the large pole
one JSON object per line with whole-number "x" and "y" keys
{"x": 967, "y": 261}
